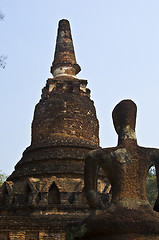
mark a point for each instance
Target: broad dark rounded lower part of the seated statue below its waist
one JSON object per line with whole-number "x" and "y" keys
{"x": 120, "y": 223}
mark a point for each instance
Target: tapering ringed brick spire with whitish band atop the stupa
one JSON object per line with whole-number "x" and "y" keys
{"x": 64, "y": 59}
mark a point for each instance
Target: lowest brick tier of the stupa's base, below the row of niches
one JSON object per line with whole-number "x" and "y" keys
{"x": 42, "y": 227}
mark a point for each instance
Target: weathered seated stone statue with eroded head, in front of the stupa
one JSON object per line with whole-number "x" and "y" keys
{"x": 129, "y": 215}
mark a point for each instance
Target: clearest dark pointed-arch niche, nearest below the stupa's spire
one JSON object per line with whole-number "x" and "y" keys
{"x": 53, "y": 194}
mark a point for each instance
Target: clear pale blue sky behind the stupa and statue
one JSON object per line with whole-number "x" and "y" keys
{"x": 117, "y": 46}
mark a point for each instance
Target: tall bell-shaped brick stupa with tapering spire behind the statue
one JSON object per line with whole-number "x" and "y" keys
{"x": 45, "y": 191}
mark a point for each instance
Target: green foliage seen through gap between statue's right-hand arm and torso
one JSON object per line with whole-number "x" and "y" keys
{"x": 151, "y": 186}
